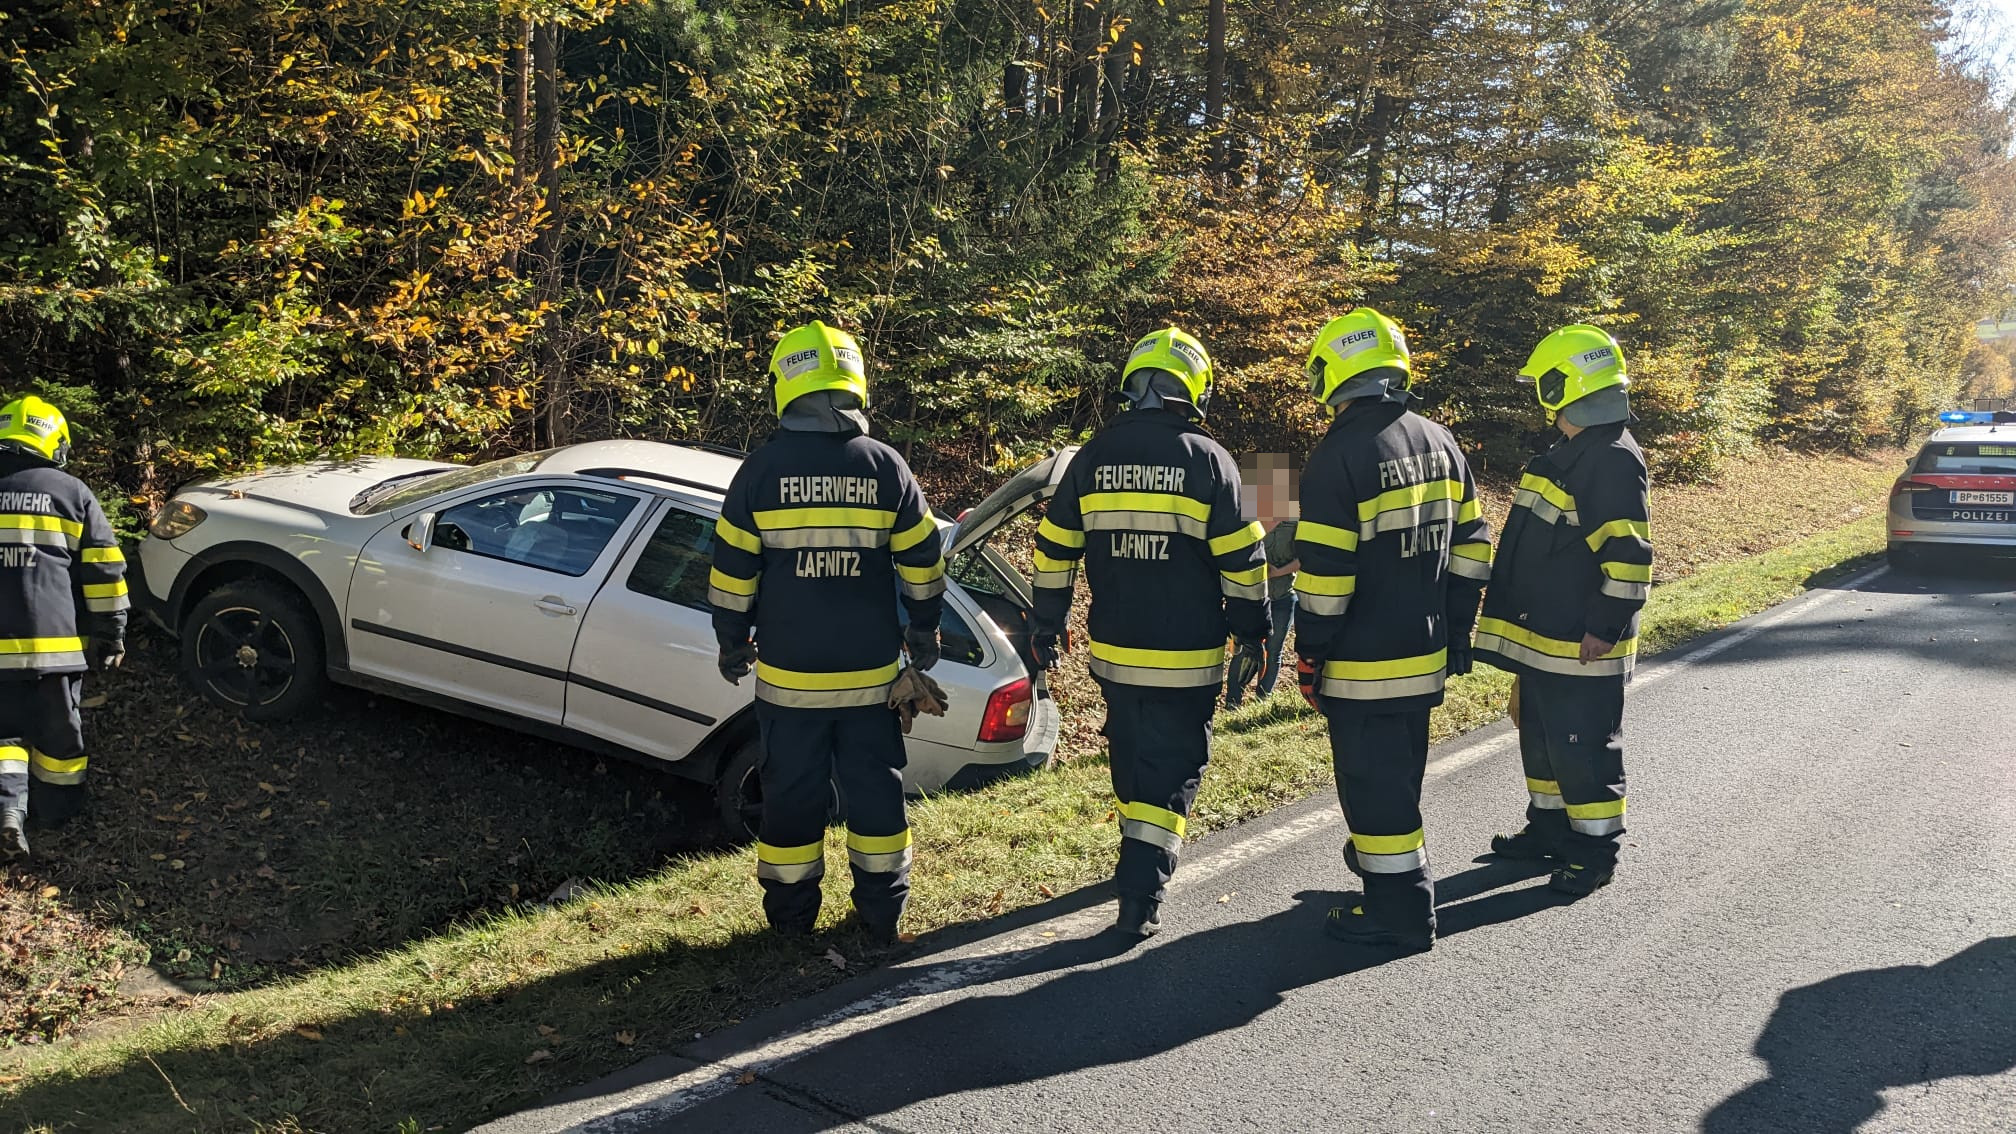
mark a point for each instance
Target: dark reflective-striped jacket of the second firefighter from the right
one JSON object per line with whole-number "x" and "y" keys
{"x": 1394, "y": 556}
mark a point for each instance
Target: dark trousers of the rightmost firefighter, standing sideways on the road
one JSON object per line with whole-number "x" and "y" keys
{"x": 1573, "y": 746}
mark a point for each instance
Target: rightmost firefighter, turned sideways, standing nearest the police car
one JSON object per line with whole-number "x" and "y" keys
{"x": 1563, "y": 606}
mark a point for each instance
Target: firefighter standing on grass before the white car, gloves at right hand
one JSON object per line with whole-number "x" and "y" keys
{"x": 822, "y": 532}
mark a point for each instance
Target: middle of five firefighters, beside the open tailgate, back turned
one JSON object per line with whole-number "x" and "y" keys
{"x": 1152, "y": 507}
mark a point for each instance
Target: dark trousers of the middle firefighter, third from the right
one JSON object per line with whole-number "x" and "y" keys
{"x": 1160, "y": 742}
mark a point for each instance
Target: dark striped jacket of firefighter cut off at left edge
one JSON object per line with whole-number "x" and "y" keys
{"x": 61, "y": 572}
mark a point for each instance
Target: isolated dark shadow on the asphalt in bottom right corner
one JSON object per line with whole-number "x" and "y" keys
{"x": 1838, "y": 1044}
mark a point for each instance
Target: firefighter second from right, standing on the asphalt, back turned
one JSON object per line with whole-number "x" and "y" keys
{"x": 1394, "y": 560}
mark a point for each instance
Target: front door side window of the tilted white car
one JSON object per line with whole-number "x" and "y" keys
{"x": 553, "y": 530}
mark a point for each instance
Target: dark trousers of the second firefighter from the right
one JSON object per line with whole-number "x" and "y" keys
{"x": 1380, "y": 764}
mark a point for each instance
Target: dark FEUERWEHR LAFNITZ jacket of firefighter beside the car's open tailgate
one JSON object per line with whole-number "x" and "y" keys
{"x": 1152, "y": 505}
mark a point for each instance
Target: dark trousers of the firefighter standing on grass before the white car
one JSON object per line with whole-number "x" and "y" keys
{"x": 805, "y": 752}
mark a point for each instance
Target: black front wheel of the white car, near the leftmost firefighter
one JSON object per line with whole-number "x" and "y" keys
{"x": 255, "y": 649}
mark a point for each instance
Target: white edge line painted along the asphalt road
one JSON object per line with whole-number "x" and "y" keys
{"x": 942, "y": 978}
